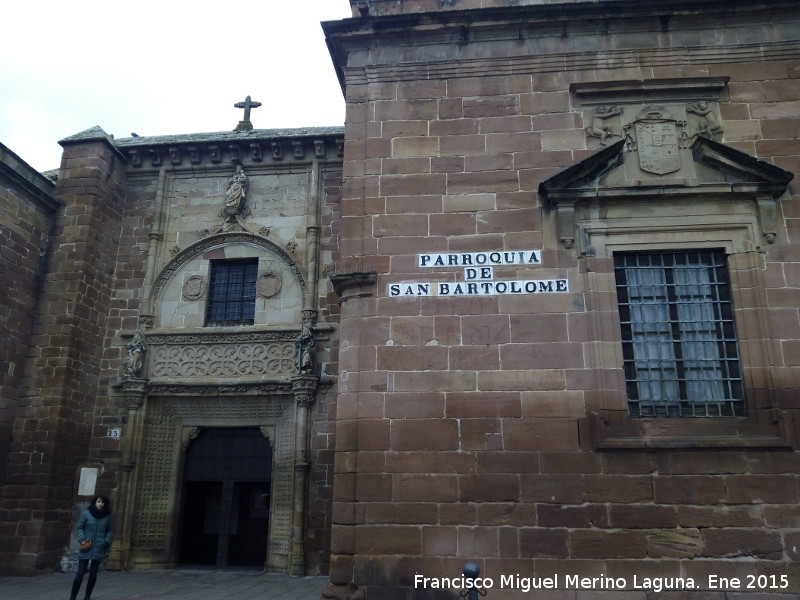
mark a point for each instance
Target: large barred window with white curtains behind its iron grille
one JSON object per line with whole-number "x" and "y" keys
{"x": 679, "y": 346}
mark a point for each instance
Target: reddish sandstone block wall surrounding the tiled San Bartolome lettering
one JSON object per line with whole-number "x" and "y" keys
{"x": 462, "y": 425}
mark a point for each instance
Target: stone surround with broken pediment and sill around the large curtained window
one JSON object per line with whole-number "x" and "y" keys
{"x": 732, "y": 203}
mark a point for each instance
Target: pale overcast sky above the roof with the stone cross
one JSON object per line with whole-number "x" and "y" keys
{"x": 161, "y": 67}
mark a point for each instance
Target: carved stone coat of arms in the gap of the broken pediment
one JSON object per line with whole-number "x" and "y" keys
{"x": 657, "y": 136}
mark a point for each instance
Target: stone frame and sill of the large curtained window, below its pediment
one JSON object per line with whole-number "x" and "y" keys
{"x": 609, "y": 425}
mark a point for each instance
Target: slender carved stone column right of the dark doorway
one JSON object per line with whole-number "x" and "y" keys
{"x": 304, "y": 388}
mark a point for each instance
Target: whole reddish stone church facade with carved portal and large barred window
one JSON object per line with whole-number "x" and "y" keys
{"x": 534, "y": 307}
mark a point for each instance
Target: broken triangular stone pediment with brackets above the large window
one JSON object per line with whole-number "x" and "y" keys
{"x": 704, "y": 171}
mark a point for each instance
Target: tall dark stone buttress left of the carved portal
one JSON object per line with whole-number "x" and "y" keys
{"x": 57, "y": 393}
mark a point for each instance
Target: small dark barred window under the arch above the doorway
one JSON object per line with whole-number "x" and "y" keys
{"x": 232, "y": 292}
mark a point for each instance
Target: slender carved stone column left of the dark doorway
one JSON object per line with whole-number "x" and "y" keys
{"x": 134, "y": 391}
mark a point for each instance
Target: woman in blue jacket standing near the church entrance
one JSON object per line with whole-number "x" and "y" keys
{"x": 94, "y": 526}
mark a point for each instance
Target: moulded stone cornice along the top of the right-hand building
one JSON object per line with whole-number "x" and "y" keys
{"x": 527, "y": 39}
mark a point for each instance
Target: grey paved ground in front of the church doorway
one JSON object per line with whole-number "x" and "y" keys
{"x": 169, "y": 584}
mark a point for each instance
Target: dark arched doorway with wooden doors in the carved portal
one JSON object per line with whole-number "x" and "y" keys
{"x": 226, "y": 498}
